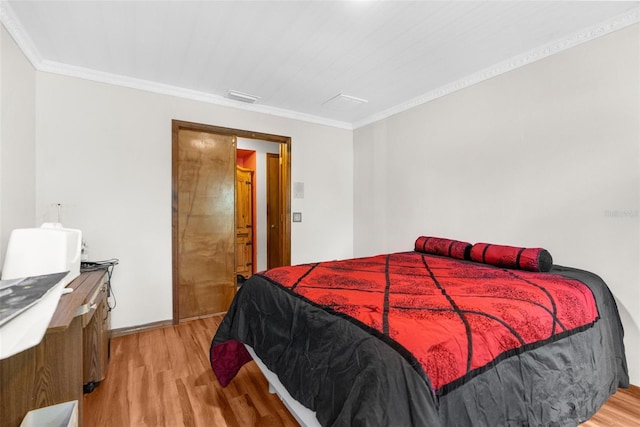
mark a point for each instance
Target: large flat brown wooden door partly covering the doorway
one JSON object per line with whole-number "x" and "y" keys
{"x": 204, "y": 222}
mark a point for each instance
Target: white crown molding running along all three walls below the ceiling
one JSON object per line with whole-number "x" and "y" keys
{"x": 13, "y": 26}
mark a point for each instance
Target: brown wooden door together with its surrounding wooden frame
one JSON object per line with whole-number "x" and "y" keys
{"x": 193, "y": 256}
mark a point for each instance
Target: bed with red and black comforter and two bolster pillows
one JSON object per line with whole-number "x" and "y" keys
{"x": 450, "y": 334}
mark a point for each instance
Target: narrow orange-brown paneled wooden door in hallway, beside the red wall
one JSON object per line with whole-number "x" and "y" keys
{"x": 244, "y": 221}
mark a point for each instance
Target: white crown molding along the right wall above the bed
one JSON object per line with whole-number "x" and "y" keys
{"x": 609, "y": 26}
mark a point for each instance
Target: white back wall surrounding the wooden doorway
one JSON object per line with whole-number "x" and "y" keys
{"x": 104, "y": 153}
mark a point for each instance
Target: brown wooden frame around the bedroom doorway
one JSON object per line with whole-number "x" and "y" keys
{"x": 285, "y": 189}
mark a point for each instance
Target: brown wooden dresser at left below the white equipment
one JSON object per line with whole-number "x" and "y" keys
{"x": 73, "y": 352}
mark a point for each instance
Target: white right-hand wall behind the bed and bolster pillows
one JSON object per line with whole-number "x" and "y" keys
{"x": 541, "y": 156}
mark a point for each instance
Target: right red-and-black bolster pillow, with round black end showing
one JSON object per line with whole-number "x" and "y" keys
{"x": 530, "y": 259}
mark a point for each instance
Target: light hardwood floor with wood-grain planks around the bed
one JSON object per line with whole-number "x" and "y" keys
{"x": 162, "y": 377}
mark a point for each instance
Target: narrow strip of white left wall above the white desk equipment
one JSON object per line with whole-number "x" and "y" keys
{"x": 17, "y": 140}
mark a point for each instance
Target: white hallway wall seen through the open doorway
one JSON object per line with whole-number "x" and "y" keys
{"x": 261, "y": 149}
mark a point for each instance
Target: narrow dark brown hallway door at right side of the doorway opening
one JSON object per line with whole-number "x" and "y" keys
{"x": 274, "y": 215}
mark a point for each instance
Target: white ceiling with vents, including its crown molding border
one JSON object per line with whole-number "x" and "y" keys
{"x": 297, "y": 55}
